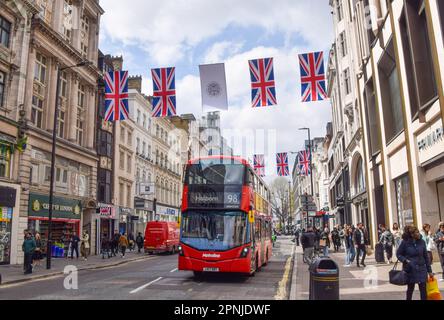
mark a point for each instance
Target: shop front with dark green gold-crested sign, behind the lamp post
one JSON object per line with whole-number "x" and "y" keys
{"x": 66, "y": 218}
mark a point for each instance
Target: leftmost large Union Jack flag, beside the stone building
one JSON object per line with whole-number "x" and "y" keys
{"x": 116, "y": 96}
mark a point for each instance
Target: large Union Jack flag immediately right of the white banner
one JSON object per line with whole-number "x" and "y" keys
{"x": 263, "y": 90}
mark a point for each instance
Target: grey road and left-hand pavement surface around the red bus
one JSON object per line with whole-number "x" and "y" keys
{"x": 154, "y": 278}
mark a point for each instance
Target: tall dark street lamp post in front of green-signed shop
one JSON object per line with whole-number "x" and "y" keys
{"x": 53, "y": 156}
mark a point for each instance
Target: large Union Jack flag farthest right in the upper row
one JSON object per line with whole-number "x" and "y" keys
{"x": 313, "y": 77}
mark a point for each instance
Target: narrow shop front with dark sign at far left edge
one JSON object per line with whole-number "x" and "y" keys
{"x": 7, "y": 204}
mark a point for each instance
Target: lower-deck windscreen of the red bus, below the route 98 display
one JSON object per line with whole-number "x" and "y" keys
{"x": 214, "y": 231}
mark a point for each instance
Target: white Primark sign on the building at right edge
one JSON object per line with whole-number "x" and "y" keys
{"x": 431, "y": 142}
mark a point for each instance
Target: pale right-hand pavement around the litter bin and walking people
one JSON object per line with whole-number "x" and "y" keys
{"x": 370, "y": 283}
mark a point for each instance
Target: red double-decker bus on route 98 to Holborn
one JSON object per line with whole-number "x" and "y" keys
{"x": 226, "y": 223}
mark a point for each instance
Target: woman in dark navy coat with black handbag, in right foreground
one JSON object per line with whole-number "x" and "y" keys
{"x": 412, "y": 252}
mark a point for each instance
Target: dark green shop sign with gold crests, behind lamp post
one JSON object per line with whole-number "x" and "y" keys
{"x": 63, "y": 208}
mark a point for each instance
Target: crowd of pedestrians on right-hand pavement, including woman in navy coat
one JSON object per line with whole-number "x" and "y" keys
{"x": 412, "y": 247}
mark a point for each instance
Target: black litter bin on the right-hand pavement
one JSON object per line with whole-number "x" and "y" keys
{"x": 324, "y": 280}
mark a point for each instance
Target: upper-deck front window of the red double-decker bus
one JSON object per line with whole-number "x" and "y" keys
{"x": 215, "y": 172}
